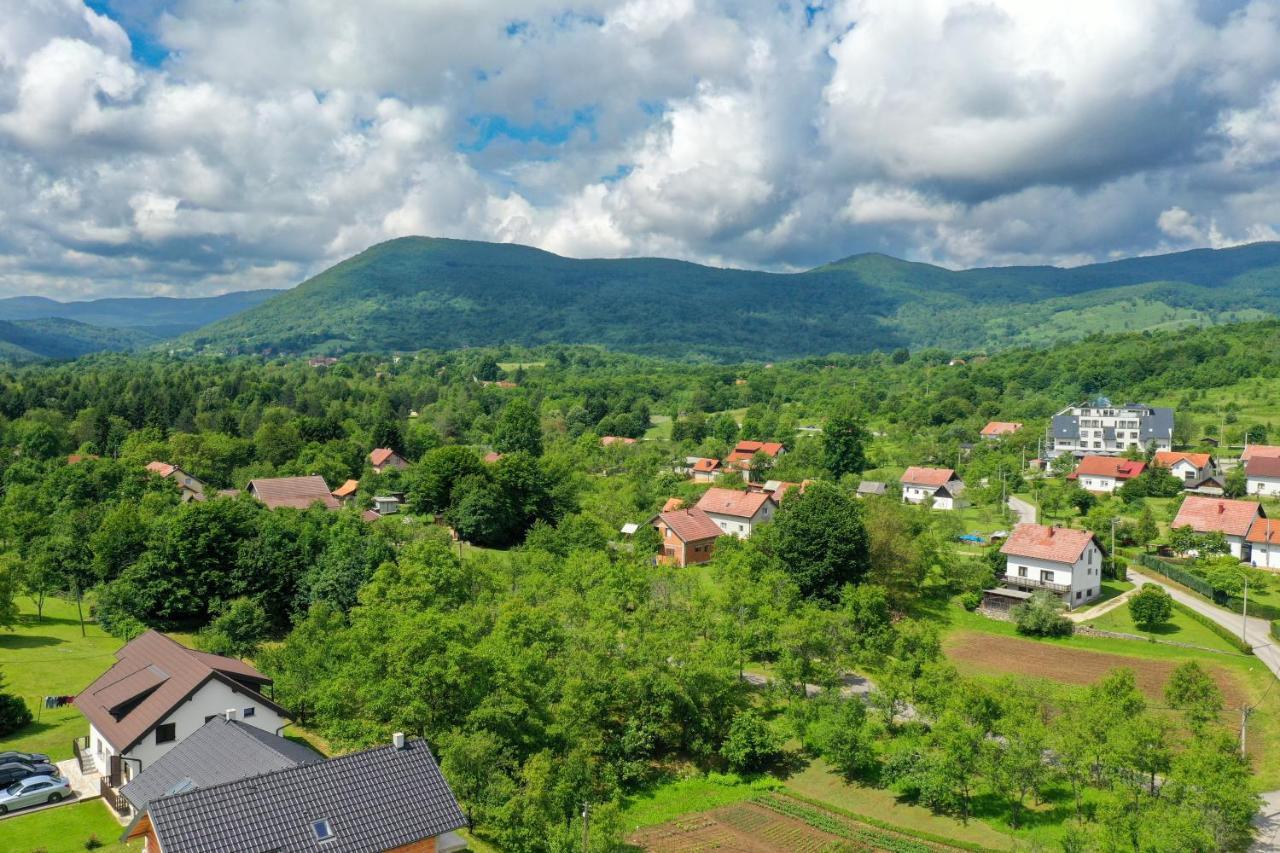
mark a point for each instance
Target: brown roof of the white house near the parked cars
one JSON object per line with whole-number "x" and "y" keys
{"x": 156, "y": 674}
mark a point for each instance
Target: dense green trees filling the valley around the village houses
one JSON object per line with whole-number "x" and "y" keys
{"x": 547, "y": 658}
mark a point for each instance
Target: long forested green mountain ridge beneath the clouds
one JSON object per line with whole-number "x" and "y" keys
{"x": 420, "y": 293}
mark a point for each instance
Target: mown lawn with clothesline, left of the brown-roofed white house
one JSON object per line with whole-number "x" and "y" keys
{"x": 51, "y": 658}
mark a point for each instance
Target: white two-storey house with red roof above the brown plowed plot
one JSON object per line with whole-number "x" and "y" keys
{"x": 1067, "y": 563}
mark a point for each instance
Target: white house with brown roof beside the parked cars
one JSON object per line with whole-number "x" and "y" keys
{"x": 156, "y": 696}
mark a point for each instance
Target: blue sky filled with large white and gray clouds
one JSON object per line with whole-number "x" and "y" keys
{"x": 191, "y": 148}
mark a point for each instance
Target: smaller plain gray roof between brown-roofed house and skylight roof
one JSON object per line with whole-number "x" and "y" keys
{"x": 221, "y": 751}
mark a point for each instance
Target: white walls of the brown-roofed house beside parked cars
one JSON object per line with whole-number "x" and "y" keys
{"x": 212, "y": 699}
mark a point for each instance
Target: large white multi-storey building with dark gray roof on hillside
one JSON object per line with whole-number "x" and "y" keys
{"x": 1105, "y": 430}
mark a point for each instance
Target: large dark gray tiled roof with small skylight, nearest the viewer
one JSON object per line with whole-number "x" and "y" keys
{"x": 377, "y": 800}
